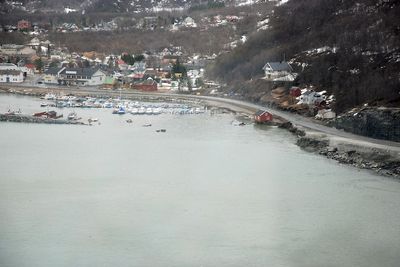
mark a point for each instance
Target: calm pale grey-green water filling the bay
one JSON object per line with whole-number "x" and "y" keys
{"x": 205, "y": 193}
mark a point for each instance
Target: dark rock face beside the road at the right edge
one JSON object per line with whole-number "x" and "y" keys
{"x": 380, "y": 123}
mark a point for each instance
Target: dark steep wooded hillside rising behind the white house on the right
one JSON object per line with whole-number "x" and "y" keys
{"x": 361, "y": 65}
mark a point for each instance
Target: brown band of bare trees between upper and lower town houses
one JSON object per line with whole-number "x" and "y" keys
{"x": 136, "y": 41}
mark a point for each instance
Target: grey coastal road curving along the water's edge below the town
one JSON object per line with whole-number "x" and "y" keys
{"x": 238, "y": 105}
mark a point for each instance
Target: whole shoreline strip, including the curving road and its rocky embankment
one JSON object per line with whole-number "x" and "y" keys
{"x": 380, "y": 156}
